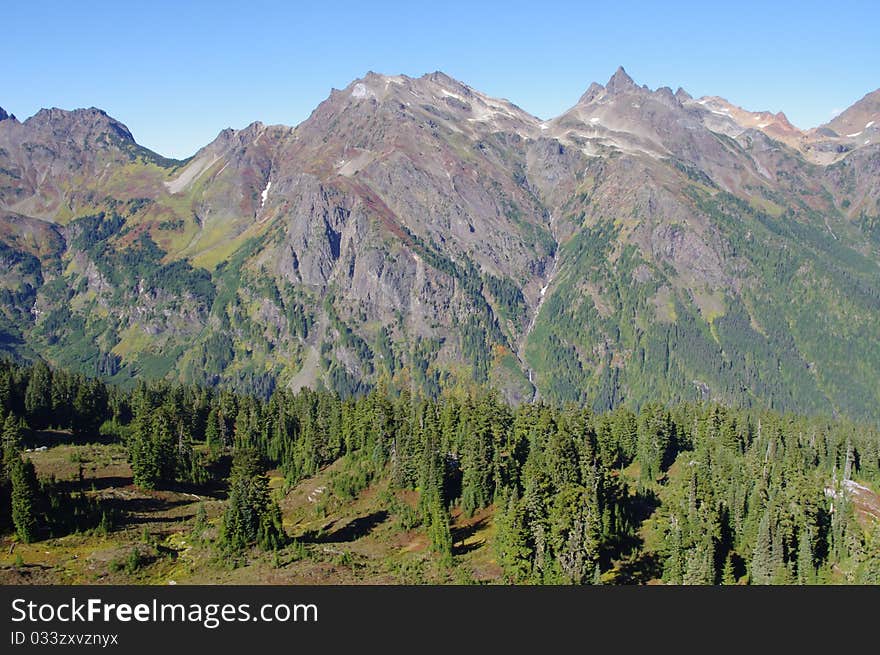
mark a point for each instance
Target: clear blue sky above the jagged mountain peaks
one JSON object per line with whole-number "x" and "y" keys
{"x": 178, "y": 72}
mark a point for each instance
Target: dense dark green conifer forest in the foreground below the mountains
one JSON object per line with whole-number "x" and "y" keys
{"x": 693, "y": 493}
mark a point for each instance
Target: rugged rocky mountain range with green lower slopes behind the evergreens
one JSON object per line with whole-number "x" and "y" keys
{"x": 644, "y": 245}
